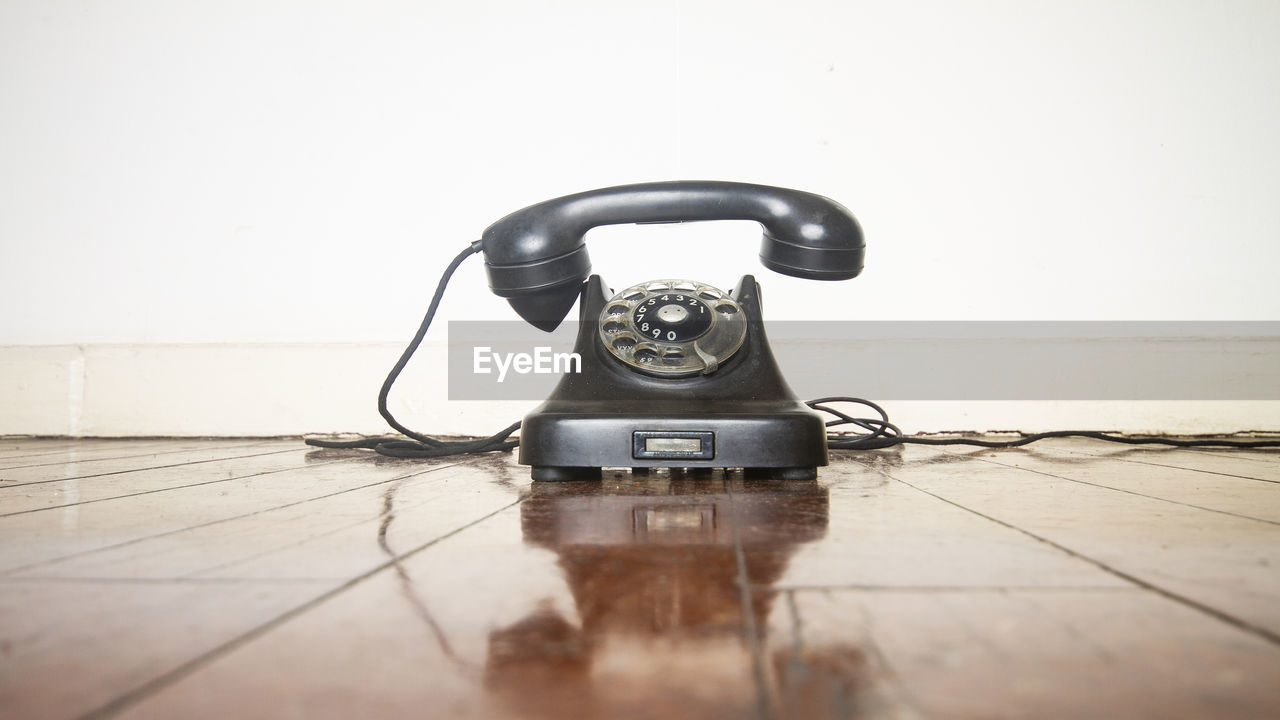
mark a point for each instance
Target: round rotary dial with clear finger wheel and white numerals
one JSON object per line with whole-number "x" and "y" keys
{"x": 673, "y": 329}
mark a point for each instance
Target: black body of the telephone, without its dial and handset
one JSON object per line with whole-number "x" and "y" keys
{"x": 593, "y": 417}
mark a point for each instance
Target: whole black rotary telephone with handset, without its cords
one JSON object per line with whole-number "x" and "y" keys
{"x": 675, "y": 373}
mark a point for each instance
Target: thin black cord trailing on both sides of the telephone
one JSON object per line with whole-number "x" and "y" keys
{"x": 881, "y": 432}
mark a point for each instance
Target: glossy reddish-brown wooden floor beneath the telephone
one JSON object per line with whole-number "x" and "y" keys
{"x": 267, "y": 580}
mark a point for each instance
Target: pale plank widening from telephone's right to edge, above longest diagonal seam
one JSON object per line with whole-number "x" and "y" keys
{"x": 1220, "y": 563}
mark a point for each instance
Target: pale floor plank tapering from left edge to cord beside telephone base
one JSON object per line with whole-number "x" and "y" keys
{"x": 30, "y": 541}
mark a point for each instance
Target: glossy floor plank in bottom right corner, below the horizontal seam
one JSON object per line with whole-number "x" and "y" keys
{"x": 1021, "y": 654}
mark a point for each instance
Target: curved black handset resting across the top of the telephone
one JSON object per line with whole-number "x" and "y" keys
{"x": 537, "y": 257}
